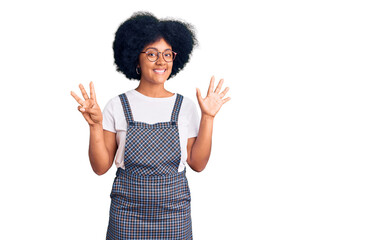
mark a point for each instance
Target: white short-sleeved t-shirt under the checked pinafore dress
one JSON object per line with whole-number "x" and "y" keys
{"x": 150, "y": 110}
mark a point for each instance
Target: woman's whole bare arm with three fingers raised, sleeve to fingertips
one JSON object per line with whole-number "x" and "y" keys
{"x": 102, "y": 144}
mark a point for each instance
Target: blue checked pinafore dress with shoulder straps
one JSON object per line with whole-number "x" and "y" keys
{"x": 150, "y": 199}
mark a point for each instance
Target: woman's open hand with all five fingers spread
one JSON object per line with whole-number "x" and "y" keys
{"x": 213, "y": 101}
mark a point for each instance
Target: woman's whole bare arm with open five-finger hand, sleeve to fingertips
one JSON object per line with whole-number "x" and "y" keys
{"x": 199, "y": 148}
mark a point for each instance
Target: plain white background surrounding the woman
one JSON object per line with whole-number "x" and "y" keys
{"x": 293, "y": 152}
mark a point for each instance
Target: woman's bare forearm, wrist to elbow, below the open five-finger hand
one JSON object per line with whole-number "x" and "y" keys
{"x": 202, "y": 147}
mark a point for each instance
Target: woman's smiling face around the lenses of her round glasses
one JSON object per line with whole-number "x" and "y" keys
{"x": 155, "y": 72}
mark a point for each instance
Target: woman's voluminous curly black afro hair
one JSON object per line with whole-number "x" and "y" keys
{"x": 143, "y": 28}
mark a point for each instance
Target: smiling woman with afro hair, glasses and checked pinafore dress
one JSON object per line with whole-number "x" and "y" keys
{"x": 152, "y": 132}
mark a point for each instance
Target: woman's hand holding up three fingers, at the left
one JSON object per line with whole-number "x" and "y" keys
{"x": 89, "y": 108}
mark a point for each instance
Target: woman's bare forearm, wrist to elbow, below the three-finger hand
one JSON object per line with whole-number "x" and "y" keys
{"x": 98, "y": 154}
